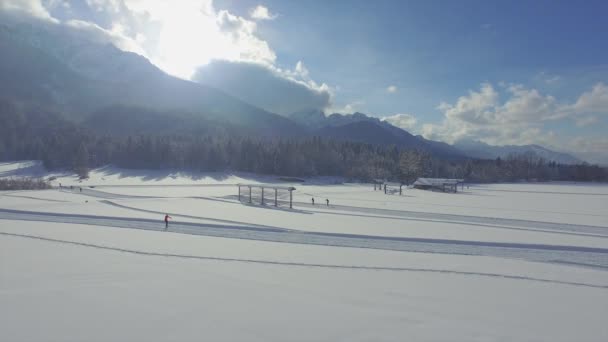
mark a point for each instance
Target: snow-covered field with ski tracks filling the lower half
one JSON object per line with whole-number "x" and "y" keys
{"x": 504, "y": 262}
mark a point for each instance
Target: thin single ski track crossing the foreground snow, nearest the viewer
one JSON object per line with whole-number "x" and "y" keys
{"x": 300, "y": 264}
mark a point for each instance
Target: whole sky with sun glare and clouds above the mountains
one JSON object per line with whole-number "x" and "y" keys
{"x": 504, "y": 72}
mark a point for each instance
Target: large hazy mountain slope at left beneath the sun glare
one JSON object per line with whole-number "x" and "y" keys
{"x": 59, "y": 70}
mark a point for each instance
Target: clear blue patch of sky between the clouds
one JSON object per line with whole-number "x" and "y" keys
{"x": 435, "y": 51}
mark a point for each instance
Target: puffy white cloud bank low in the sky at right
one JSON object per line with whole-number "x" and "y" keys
{"x": 520, "y": 119}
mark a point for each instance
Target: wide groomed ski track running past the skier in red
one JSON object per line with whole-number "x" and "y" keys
{"x": 569, "y": 255}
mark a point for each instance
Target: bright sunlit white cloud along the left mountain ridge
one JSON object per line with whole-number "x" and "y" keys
{"x": 177, "y": 37}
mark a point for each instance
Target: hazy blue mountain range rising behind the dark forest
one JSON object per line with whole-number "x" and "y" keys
{"x": 113, "y": 91}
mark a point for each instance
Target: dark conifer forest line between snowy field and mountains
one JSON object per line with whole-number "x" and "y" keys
{"x": 62, "y": 144}
